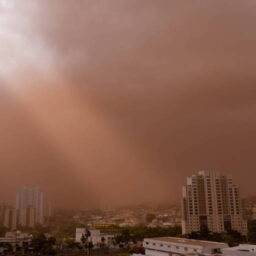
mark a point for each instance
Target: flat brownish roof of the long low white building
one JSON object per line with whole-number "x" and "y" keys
{"x": 183, "y": 241}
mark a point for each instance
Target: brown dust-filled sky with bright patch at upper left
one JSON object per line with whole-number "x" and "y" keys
{"x": 118, "y": 101}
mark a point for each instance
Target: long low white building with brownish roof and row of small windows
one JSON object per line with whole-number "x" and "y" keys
{"x": 171, "y": 246}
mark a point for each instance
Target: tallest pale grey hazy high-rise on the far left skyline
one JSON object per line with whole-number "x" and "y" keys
{"x": 28, "y": 198}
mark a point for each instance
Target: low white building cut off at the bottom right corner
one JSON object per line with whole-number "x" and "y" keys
{"x": 241, "y": 250}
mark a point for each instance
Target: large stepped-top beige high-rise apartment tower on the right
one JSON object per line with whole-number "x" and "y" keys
{"x": 211, "y": 201}
